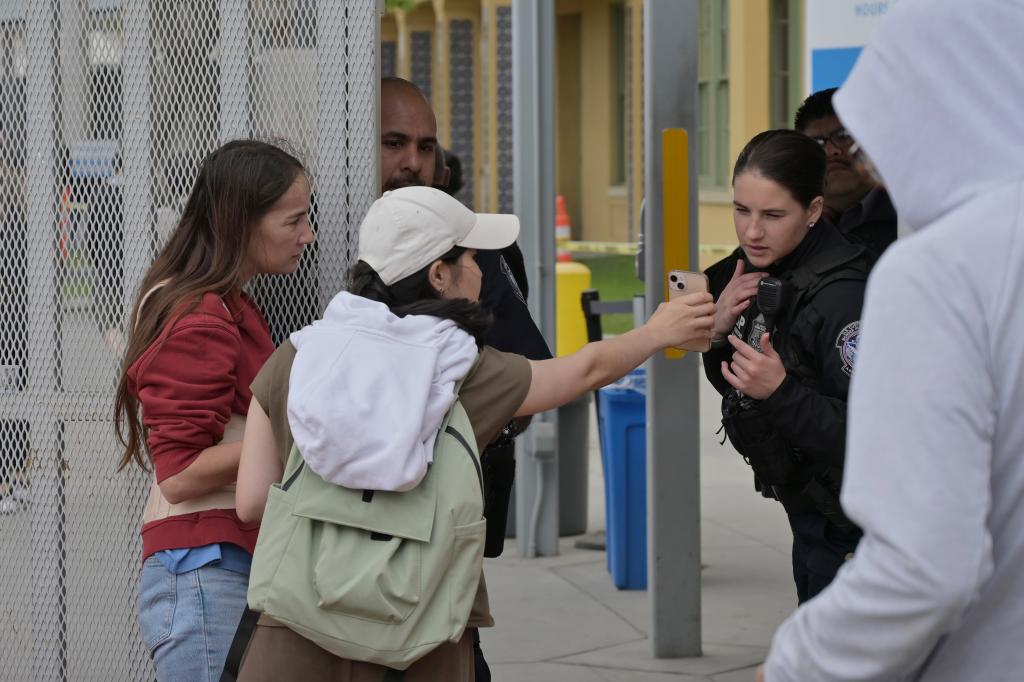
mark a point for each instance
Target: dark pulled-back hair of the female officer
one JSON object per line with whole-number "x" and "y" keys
{"x": 787, "y": 157}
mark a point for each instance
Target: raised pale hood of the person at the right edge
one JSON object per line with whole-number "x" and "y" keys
{"x": 934, "y": 101}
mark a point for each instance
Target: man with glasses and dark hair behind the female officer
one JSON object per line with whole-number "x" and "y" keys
{"x": 855, "y": 202}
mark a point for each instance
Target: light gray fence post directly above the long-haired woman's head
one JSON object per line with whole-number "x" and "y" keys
{"x": 234, "y": 57}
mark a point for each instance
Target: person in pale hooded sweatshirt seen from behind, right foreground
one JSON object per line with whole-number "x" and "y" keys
{"x": 935, "y": 456}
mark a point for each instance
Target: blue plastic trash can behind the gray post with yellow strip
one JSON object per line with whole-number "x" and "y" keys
{"x": 624, "y": 455}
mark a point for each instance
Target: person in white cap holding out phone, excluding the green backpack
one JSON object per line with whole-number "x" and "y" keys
{"x": 386, "y": 359}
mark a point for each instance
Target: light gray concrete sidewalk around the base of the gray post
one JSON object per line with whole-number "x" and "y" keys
{"x": 562, "y": 620}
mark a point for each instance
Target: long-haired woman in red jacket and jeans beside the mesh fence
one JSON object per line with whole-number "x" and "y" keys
{"x": 197, "y": 345}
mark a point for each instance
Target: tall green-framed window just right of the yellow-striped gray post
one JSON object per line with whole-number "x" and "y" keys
{"x": 713, "y": 93}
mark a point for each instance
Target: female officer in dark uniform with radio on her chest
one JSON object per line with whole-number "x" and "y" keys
{"x": 784, "y": 367}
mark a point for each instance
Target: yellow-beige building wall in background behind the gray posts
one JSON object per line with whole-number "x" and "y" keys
{"x": 600, "y": 210}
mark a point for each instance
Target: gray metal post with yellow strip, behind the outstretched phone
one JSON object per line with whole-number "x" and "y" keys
{"x": 673, "y": 420}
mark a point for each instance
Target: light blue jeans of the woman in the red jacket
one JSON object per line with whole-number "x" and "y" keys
{"x": 189, "y": 620}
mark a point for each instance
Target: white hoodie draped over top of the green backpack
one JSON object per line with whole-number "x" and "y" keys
{"x": 369, "y": 391}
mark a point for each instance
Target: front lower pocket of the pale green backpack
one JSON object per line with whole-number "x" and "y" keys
{"x": 376, "y": 581}
